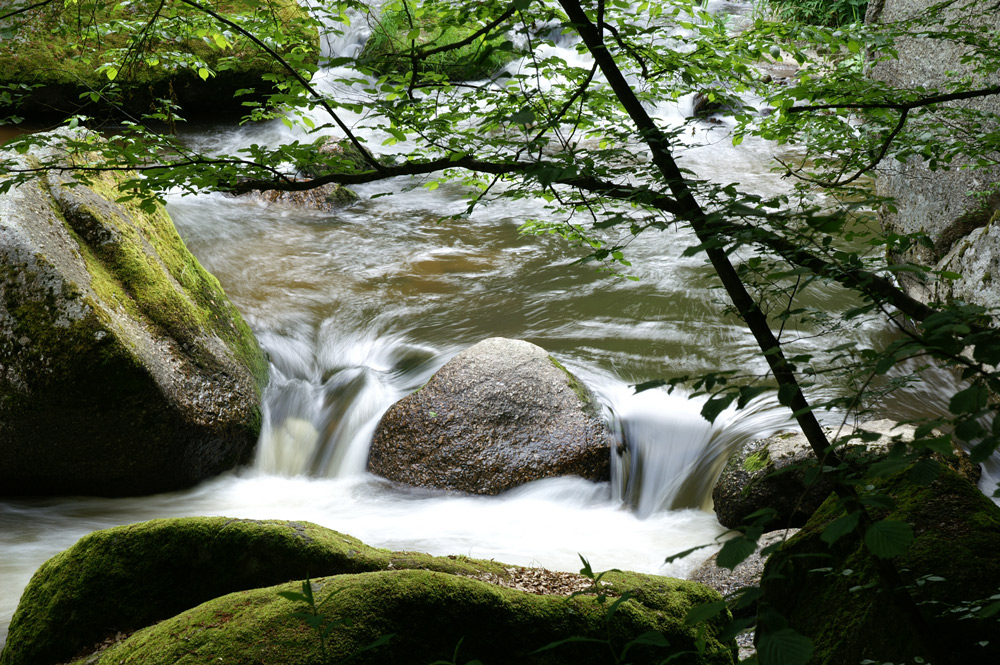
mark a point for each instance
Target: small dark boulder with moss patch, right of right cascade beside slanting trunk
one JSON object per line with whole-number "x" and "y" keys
{"x": 773, "y": 473}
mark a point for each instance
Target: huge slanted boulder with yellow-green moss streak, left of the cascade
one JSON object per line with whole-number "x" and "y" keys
{"x": 124, "y": 369}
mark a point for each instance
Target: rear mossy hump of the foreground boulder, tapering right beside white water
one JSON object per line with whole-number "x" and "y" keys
{"x": 121, "y": 579}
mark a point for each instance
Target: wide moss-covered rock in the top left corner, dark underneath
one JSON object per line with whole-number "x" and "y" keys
{"x": 68, "y": 53}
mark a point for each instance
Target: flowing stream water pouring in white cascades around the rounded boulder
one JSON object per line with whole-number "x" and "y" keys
{"x": 359, "y": 307}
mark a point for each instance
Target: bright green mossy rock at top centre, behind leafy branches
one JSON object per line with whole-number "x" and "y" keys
{"x": 429, "y": 25}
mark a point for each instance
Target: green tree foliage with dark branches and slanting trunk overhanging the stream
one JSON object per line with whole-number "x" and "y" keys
{"x": 581, "y": 135}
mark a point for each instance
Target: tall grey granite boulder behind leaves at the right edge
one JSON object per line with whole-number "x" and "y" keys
{"x": 956, "y": 207}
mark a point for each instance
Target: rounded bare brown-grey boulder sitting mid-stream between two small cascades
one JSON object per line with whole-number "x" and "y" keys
{"x": 499, "y": 414}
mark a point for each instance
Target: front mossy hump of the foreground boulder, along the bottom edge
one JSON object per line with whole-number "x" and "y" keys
{"x": 428, "y": 613}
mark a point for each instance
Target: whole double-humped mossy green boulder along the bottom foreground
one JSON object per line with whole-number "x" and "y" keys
{"x": 123, "y": 579}
